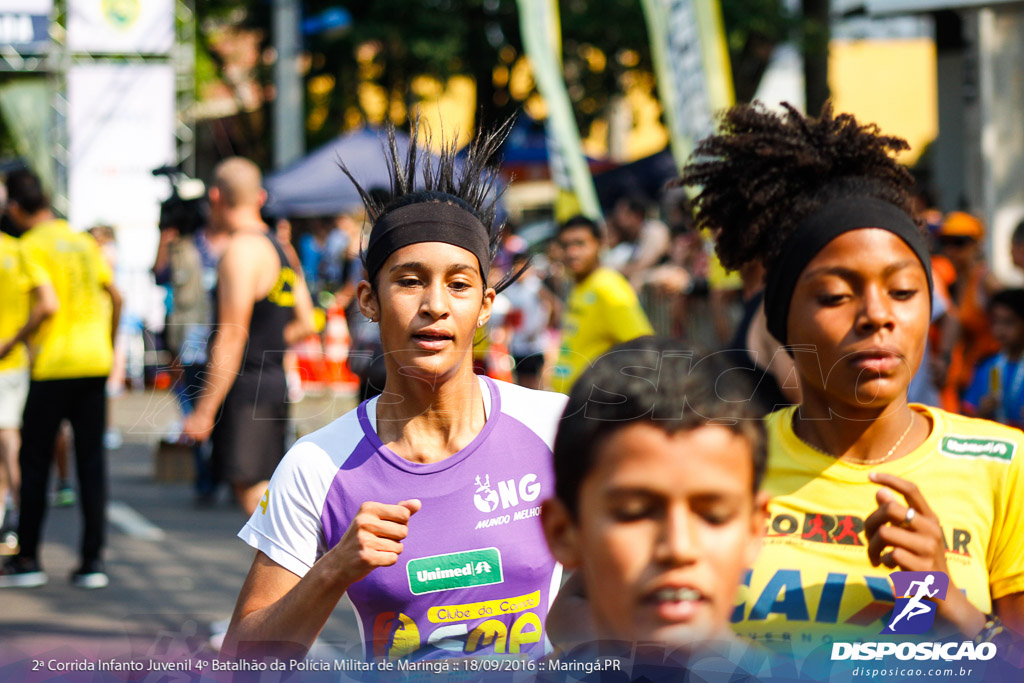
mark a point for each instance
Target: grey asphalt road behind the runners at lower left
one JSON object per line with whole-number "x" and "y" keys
{"x": 176, "y": 570}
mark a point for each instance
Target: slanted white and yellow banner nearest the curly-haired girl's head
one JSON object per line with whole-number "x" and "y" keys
{"x": 692, "y": 64}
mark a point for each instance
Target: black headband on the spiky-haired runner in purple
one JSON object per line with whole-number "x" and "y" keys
{"x": 428, "y": 222}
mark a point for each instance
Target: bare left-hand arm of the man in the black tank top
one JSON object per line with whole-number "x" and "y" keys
{"x": 238, "y": 278}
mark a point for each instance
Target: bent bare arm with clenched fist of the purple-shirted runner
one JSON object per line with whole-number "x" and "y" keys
{"x": 281, "y": 615}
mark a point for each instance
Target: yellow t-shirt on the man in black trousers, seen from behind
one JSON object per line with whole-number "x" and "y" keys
{"x": 76, "y": 340}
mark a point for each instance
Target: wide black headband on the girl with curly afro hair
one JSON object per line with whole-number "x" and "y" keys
{"x": 819, "y": 230}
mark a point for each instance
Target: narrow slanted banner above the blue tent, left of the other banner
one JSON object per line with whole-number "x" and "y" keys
{"x": 539, "y": 24}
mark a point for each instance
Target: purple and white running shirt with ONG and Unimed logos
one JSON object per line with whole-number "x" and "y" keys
{"x": 476, "y": 576}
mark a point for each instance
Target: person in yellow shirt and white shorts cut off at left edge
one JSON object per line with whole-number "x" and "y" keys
{"x": 14, "y": 381}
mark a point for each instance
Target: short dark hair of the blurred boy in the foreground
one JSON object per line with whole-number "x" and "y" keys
{"x": 659, "y": 382}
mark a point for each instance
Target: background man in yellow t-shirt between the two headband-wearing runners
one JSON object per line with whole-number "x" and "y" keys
{"x": 604, "y": 310}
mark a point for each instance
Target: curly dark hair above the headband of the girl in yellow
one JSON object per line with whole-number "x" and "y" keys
{"x": 763, "y": 174}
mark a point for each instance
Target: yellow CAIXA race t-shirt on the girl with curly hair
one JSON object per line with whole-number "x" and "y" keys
{"x": 814, "y": 584}
